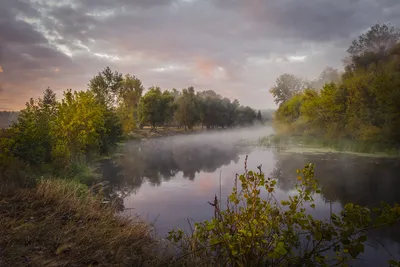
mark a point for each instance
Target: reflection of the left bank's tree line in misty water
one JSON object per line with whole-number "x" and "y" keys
{"x": 158, "y": 160}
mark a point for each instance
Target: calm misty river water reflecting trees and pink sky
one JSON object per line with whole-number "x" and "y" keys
{"x": 170, "y": 180}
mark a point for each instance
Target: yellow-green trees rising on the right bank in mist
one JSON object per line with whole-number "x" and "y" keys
{"x": 362, "y": 103}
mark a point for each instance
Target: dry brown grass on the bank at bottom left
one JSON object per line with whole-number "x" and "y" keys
{"x": 59, "y": 223}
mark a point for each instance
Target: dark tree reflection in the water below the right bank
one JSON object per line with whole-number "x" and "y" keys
{"x": 344, "y": 178}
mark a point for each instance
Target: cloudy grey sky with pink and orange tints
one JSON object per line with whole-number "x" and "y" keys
{"x": 236, "y": 47}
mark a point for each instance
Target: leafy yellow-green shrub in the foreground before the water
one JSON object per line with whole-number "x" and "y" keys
{"x": 254, "y": 229}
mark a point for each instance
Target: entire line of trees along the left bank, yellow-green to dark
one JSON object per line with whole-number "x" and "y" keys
{"x": 86, "y": 123}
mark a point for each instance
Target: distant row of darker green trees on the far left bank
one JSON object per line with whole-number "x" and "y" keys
{"x": 188, "y": 109}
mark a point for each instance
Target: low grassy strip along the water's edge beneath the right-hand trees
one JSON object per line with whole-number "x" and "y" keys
{"x": 308, "y": 144}
